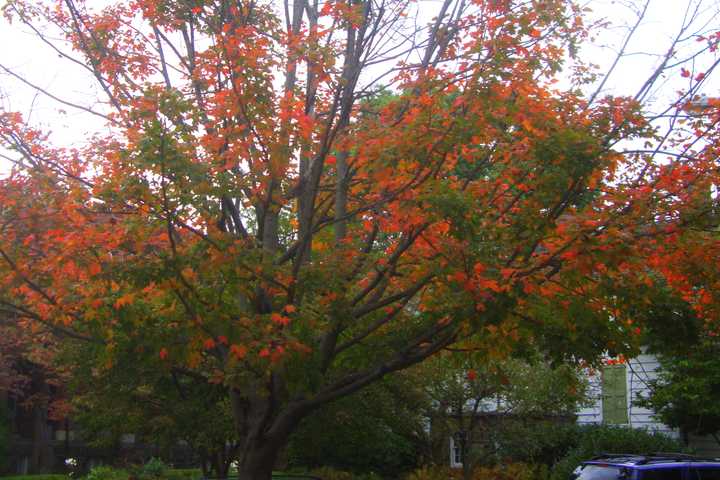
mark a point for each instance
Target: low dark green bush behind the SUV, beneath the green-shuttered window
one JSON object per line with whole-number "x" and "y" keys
{"x": 597, "y": 439}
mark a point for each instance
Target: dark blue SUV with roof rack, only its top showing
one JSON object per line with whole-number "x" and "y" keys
{"x": 657, "y": 466}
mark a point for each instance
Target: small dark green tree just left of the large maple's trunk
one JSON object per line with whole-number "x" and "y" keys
{"x": 158, "y": 408}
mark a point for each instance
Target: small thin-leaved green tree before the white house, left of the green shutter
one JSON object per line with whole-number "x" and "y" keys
{"x": 483, "y": 406}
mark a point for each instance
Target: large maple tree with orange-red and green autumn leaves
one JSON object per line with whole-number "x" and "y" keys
{"x": 295, "y": 200}
